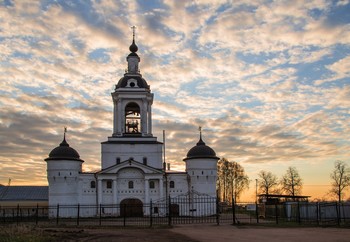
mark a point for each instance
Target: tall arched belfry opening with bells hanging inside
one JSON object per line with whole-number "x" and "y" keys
{"x": 132, "y": 118}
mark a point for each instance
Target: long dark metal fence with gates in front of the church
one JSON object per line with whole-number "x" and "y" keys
{"x": 181, "y": 210}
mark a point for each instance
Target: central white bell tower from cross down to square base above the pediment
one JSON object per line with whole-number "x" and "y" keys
{"x": 132, "y": 119}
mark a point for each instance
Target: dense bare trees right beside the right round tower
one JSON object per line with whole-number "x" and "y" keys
{"x": 232, "y": 180}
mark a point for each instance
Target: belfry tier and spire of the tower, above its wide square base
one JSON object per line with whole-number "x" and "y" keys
{"x": 132, "y": 100}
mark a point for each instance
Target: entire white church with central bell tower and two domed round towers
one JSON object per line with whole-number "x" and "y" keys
{"x": 133, "y": 171}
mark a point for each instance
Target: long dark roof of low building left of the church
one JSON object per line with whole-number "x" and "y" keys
{"x": 24, "y": 193}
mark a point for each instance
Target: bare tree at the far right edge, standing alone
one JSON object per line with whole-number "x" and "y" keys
{"x": 340, "y": 179}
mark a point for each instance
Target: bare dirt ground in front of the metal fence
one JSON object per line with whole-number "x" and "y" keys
{"x": 181, "y": 233}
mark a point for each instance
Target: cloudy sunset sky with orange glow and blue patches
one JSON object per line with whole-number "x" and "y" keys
{"x": 268, "y": 81}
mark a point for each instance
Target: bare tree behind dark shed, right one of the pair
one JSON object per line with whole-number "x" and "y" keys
{"x": 291, "y": 182}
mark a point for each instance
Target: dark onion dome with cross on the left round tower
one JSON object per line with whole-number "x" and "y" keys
{"x": 64, "y": 152}
